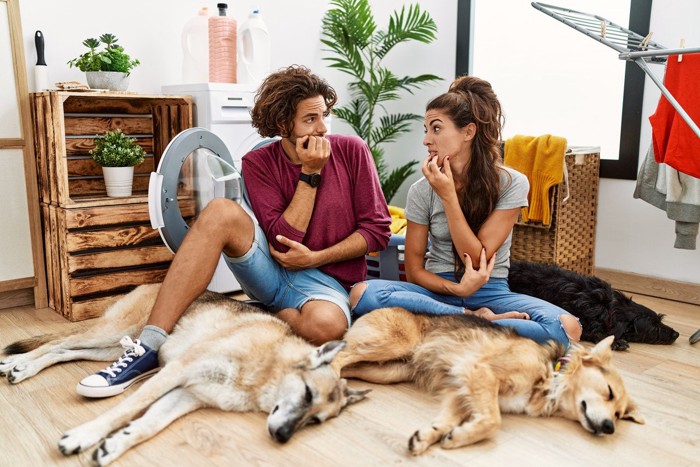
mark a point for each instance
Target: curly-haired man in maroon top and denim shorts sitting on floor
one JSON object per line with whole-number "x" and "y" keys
{"x": 320, "y": 209}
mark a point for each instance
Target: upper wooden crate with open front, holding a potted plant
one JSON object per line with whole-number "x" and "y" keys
{"x": 65, "y": 127}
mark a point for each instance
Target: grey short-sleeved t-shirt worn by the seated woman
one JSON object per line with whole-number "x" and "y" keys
{"x": 423, "y": 206}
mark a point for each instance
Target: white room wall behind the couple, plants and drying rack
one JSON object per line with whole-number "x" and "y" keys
{"x": 632, "y": 235}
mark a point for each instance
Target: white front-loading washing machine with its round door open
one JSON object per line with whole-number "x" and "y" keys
{"x": 202, "y": 163}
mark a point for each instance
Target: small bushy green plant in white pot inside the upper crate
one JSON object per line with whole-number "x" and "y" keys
{"x": 117, "y": 154}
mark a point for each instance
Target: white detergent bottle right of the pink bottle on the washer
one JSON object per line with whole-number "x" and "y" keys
{"x": 254, "y": 50}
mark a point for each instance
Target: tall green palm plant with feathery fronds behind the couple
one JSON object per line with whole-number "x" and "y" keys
{"x": 350, "y": 33}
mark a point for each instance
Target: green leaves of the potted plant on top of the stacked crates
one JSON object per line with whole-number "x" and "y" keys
{"x": 111, "y": 58}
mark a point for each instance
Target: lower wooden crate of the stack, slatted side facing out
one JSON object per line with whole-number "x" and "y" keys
{"x": 100, "y": 252}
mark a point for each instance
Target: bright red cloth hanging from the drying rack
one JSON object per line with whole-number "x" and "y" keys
{"x": 675, "y": 143}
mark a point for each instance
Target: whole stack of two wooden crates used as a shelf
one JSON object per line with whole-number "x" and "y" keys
{"x": 98, "y": 248}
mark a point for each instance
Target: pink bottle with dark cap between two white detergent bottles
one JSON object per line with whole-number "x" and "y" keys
{"x": 222, "y": 47}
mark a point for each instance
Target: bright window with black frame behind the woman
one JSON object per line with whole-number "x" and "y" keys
{"x": 553, "y": 79}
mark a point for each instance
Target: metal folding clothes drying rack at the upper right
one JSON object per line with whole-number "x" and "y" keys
{"x": 630, "y": 46}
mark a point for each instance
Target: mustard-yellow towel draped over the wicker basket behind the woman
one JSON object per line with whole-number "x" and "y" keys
{"x": 541, "y": 159}
